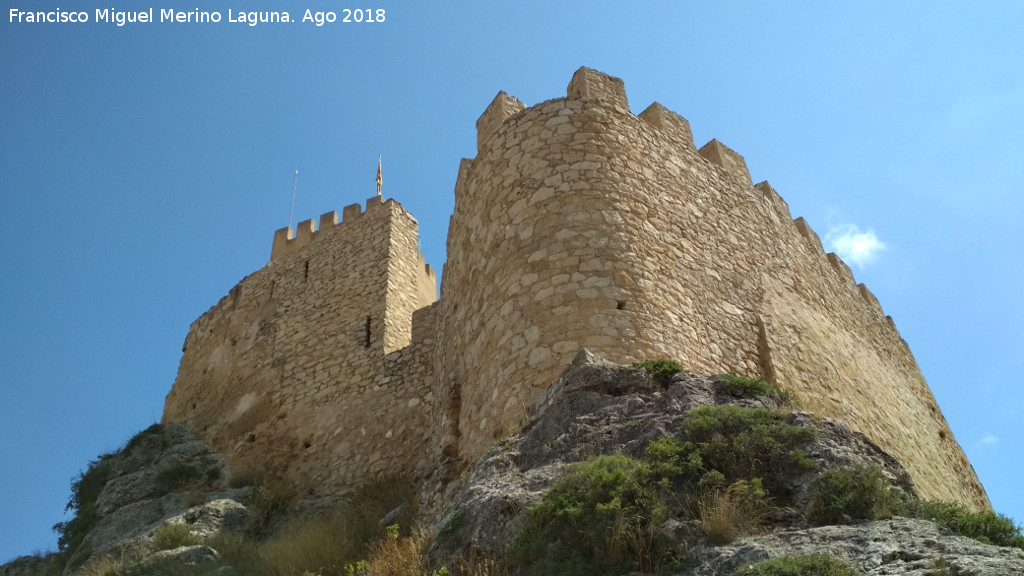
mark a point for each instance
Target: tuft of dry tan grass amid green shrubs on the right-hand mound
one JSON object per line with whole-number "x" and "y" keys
{"x": 728, "y": 514}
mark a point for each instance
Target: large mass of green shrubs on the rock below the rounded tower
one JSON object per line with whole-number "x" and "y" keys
{"x": 604, "y": 517}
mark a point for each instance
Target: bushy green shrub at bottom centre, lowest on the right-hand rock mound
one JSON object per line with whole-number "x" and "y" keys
{"x": 601, "y": 519}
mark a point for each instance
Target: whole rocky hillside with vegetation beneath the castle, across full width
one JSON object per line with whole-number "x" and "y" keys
{"x": 616, "y": 470}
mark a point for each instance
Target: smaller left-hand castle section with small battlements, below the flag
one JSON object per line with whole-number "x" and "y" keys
{"x": 308, "y": 371}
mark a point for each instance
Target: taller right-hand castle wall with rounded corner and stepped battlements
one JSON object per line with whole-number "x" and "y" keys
{"x": 580, "y": 225}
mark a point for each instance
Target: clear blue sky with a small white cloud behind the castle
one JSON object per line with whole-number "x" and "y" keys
{"x": 146, "y": 169}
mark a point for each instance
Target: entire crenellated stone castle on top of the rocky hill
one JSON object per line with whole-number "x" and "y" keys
{"x": 578, "y": 225}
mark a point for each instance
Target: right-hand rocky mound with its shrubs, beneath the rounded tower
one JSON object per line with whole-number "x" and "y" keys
{"x": 600, "y": 422}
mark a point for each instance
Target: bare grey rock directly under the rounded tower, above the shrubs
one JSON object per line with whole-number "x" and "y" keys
{"x": 601, "y": 408}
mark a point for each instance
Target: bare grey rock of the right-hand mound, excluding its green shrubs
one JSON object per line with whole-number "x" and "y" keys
{"x": 600, "y": 408}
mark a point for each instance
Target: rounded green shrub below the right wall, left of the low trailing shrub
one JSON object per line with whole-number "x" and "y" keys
{"x": 856, "y": 493}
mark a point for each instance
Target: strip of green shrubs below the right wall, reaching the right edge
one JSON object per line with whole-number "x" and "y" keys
{"x": 842, "y": 496}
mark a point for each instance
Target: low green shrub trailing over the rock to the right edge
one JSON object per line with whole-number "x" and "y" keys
{"x": 985, "y": 526}
